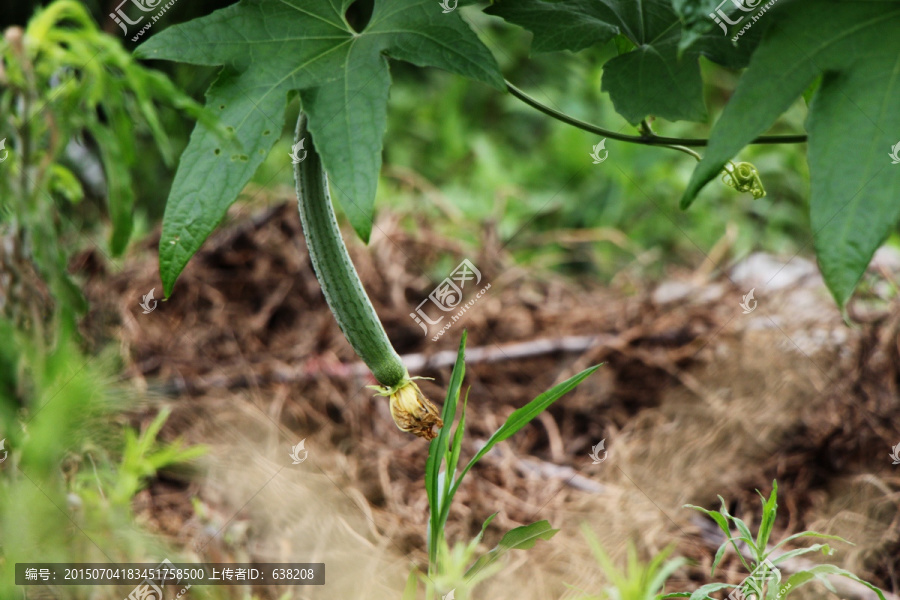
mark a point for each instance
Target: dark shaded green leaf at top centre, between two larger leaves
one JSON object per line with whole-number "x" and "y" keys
{"x": 656, "y": 77}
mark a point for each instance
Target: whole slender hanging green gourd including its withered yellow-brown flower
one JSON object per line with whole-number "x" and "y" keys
{"x": 347, "y": 298}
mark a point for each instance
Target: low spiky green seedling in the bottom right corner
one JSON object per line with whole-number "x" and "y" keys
{"x": 765, "y": 580}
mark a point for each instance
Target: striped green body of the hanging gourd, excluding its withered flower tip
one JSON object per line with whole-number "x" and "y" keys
{"x": 337, "y": 276}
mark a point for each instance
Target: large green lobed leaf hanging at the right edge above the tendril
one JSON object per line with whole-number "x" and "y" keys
{"x": 854, "y": 120}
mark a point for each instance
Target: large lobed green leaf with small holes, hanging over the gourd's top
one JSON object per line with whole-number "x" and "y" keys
{"x": 268, "y": 48}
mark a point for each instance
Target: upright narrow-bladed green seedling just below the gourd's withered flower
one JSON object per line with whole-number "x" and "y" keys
{"x": 443, "y": 478}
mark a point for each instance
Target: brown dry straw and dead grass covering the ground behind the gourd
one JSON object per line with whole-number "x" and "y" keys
{"x": 696, "y": 399}
